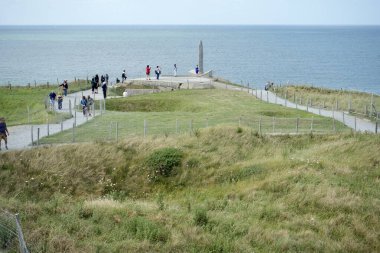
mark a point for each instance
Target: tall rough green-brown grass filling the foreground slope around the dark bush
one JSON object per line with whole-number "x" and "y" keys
{"x": 234, "y": 191}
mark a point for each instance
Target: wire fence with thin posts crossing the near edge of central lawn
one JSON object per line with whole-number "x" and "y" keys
{"x": 116, "y": 131}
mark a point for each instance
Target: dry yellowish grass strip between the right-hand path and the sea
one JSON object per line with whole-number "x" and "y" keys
{"x": 355, "y": 102}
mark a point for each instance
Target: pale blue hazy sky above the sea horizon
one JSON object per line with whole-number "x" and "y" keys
{"x": 190, "y": 12}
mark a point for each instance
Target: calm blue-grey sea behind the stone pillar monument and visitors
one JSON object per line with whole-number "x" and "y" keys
{"x": 338, "y": 57}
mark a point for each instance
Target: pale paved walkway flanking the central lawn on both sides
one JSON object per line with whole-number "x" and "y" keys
{"x": 21, "y": 136}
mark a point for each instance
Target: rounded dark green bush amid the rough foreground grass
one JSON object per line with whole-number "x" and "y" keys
{"x": 162, "y": 162}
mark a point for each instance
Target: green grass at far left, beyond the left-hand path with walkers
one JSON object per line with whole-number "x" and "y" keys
{"x": 24, "y": 105}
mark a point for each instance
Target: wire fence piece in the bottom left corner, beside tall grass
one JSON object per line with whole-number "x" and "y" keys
{"x": 11, "y": 236}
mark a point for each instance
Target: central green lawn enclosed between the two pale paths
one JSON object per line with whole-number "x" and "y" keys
{"x": 186, "y": 111}
